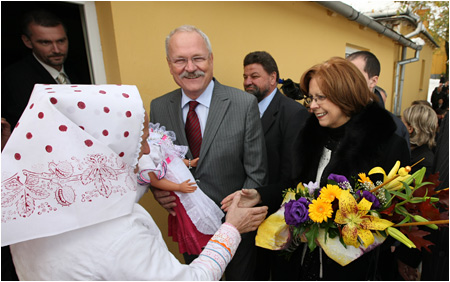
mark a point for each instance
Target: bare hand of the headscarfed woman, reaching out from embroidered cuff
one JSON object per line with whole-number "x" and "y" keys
{"x": 243, "y": 218}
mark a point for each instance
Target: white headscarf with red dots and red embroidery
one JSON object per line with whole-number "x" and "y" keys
{"x": 70, "y": 160}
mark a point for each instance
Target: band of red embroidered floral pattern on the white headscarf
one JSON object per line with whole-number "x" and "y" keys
{"x": 97, "y": 174}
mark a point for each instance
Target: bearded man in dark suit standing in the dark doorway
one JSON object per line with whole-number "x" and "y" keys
{"x": 45, "y": 35}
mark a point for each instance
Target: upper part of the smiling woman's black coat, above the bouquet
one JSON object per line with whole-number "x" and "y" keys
{"x": 367, "y": 140}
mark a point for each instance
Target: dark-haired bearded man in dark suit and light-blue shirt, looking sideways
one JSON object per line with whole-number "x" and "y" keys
{"x": 282, "y": 119}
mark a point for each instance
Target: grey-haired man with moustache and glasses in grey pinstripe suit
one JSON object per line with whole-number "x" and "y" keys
{"x": 232, "y": 153}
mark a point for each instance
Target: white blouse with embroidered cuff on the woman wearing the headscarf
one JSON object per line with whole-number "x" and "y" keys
{"x": 126, "y": 248}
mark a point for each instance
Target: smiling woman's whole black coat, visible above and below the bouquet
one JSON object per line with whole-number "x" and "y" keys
{"x": 367, "y": 140}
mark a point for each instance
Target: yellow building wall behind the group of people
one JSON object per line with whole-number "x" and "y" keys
{"x": 297, "y": 34}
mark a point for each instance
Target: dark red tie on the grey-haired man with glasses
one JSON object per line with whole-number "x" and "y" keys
{"x": 193, "y": 131}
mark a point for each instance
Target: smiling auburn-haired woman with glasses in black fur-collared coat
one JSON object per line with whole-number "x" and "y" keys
{"x": 347, "y": 133}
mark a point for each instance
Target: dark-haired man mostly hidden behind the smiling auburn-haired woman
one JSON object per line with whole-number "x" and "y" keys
{"x": 369, "y": 65}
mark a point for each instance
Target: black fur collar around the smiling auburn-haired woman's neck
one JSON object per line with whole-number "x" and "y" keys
{"x": 357, "y": 150}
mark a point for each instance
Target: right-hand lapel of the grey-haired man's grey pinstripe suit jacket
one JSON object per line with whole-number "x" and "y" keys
{"x": 218, "y": 108}
